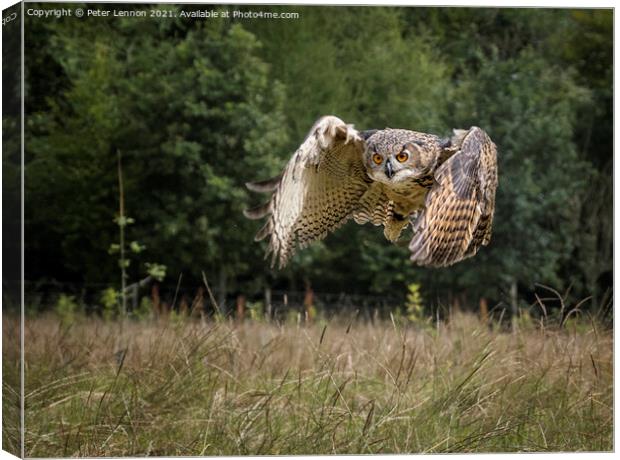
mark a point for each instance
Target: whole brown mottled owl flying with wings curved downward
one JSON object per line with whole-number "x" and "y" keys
{"x": 392, "y": 177}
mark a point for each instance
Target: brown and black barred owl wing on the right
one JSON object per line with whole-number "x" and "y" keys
{"x": 458, "y": 212}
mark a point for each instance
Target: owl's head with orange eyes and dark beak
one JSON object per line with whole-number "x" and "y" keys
{"x": 397, "y": 155}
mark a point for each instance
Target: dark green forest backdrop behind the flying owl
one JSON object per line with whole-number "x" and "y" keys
{"x": 195, "y": 108}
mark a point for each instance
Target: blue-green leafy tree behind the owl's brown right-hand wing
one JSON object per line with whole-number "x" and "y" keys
{"x": 509, "y": 81}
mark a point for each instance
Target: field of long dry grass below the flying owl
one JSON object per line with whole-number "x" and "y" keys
{"x": 192, "y": 388}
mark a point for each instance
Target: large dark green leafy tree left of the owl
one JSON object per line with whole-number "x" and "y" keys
{"x": 194, "y": 112}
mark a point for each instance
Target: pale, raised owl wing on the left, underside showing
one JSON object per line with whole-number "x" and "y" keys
{"x": 317, "y": 192}
